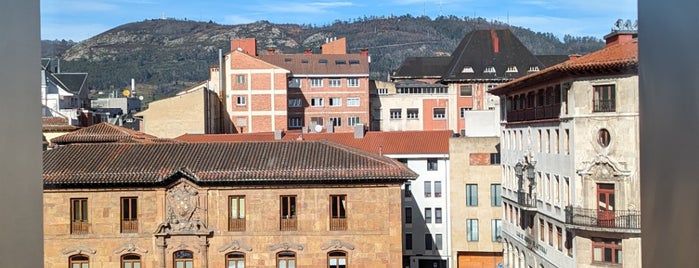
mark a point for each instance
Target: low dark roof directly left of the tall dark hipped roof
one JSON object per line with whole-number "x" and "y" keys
{"x": 422, "y": 67}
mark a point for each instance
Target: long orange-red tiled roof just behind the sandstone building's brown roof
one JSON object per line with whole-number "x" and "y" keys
{"x": 393, "y": 142}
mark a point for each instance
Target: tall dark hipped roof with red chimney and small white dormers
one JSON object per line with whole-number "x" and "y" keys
{"x": 477, "y": 51}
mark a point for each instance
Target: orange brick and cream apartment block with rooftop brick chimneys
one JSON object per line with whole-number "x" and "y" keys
{"x": 263, "y": 93}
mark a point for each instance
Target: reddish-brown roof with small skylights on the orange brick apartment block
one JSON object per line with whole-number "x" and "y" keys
{"x": 320, "y": 64}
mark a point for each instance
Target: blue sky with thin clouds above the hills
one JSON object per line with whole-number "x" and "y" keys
{"x": 78, "y": 19}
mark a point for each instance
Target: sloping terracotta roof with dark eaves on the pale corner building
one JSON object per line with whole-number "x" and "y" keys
{"x": 617, "y": 58}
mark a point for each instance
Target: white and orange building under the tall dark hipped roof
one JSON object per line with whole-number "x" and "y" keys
{"x": 443, "y": 89}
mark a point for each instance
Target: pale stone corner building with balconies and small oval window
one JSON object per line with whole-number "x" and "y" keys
{"x": 570, "y": 146}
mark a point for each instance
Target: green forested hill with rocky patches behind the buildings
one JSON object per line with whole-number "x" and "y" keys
{"x": 166, "y": 55}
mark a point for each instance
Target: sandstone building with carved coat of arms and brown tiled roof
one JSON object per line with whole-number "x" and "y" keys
{"x": 255, "y": 204}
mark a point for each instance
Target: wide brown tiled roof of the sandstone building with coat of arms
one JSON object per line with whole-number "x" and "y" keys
{"x": 216, "y": 163}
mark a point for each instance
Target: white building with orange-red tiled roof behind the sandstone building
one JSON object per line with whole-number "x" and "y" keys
{"x": 425, "y": 205}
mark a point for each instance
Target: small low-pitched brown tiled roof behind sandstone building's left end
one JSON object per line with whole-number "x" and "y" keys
{"x": 103, "y": 133}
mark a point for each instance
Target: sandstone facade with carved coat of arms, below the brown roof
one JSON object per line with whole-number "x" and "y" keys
{"x": 186, "y": 216}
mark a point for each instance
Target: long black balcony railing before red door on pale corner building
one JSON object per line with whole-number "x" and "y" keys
{"x": 617, "y": 219}
